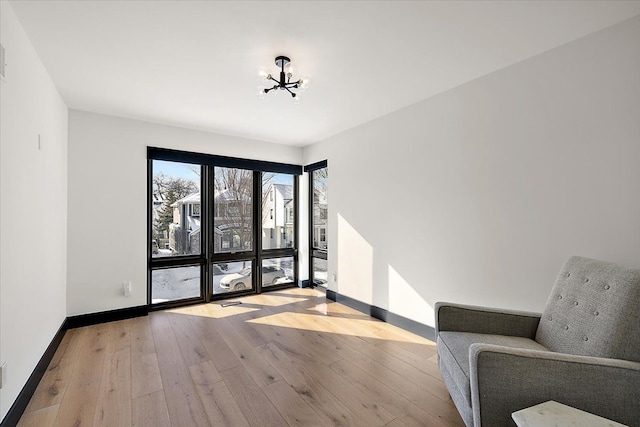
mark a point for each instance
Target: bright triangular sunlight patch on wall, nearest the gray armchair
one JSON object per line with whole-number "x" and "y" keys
{"x": 404, "y": 300}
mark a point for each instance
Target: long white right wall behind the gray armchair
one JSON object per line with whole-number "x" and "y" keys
{"x": 478, "y": 195}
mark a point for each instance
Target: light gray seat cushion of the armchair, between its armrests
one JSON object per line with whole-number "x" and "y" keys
{"x": 453, "y": 350}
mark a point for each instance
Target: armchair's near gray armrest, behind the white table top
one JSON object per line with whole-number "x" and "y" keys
{"x": 505, "y": 380}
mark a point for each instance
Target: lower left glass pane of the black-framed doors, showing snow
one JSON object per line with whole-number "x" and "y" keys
{"x": 169, "y": 284}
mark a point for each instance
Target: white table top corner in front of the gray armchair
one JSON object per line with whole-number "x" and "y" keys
{"x": 554, "y": 414}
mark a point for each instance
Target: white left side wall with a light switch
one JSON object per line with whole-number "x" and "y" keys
{"x": 33, "y": 207}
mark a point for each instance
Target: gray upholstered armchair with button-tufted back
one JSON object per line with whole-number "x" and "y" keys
{"x": 583, "y": 351}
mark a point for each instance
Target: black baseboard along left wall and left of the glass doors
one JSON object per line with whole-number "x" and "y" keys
{"x": 20, "y": 404}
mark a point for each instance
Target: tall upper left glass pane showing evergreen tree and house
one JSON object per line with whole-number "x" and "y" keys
{"x": 176, "y": 209}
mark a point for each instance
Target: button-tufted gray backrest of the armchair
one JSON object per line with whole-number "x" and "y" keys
{"x": 593, "y": 310}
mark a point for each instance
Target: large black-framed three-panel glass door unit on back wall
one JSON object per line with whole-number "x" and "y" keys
{"x": 219, "y": 226}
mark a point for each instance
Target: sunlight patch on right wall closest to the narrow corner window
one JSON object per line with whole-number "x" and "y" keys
{"x": 354, "y": 263}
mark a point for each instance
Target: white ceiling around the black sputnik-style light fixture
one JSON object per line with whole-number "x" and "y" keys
{"x": 194, "y": 64}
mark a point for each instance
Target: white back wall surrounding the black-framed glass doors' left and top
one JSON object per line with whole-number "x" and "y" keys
{"x": 108, "y": 201}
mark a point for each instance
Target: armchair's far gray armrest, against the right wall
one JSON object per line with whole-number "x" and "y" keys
{"x": 482, "y": 320}
